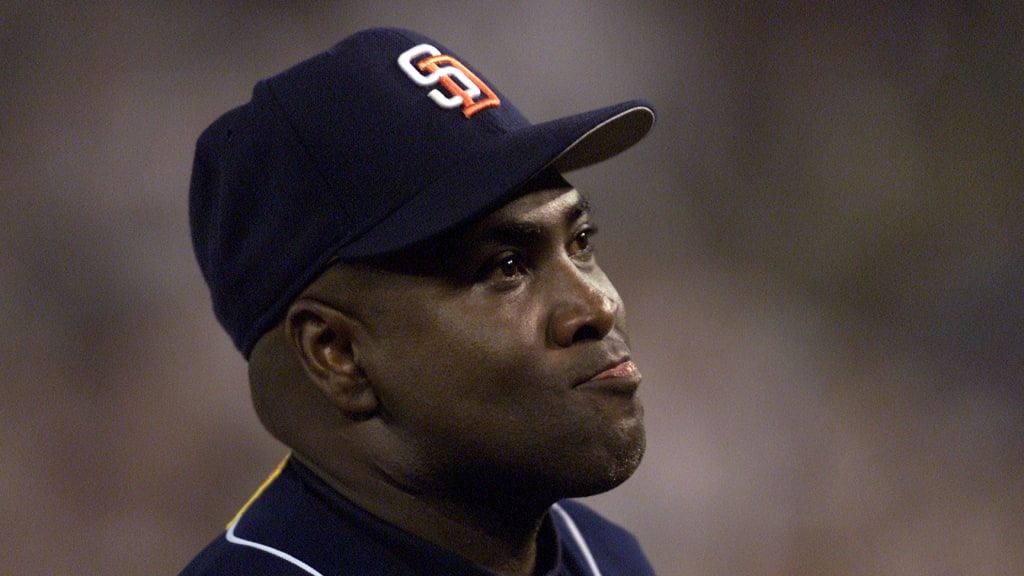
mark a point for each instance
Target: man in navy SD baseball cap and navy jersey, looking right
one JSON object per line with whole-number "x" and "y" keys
{"x": 394, "y": 249}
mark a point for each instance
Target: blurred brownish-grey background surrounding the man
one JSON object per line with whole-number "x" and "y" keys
{"x": 821, "y": 246}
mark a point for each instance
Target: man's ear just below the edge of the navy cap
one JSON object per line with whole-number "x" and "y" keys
{"x": 323, "y": 338}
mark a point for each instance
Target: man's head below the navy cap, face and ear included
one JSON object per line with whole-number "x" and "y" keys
{"x": 466, "y": 364}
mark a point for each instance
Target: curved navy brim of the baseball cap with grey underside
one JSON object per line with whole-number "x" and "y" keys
{"x": 494, "y": 175}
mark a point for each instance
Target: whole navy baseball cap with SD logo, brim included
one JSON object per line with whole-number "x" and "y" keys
{"x": 385, "y": 141}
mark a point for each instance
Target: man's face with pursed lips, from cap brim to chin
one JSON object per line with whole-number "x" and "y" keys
{"x": 501, "y": 360}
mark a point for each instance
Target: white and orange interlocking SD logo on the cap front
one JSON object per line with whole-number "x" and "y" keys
{"x": 463, "y": 88}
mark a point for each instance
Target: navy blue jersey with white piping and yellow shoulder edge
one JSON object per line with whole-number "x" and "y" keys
{"x": 298, "y": 526}
